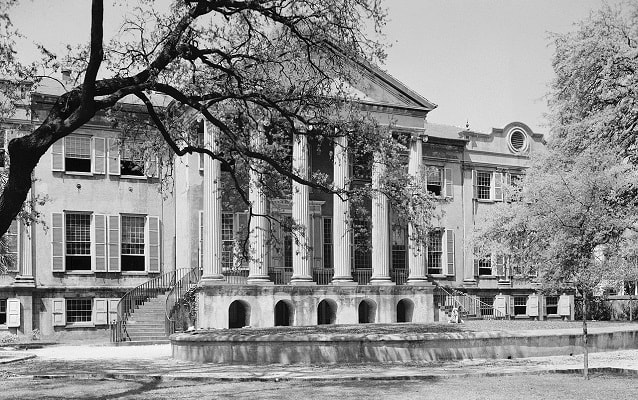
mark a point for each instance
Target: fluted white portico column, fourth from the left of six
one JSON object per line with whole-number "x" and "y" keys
{"x": 341, "y": 215}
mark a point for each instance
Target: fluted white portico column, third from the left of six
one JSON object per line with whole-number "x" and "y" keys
{"x": 301, "y": 267}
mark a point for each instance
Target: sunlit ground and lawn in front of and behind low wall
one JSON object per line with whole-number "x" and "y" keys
{"x": 91, "y": 371}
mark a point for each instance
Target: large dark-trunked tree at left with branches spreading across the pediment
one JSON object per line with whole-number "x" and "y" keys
{"x": 271, "y": 66}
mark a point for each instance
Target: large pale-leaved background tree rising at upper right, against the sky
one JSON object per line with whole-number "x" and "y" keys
{"x": 594, "y": 96}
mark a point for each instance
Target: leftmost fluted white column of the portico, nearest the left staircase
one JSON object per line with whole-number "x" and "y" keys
{"x": 212, "y": 246}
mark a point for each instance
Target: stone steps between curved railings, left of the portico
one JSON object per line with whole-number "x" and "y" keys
{"x": 148, "y": 321}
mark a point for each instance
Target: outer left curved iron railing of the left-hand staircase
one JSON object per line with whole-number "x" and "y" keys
{"x": 135, "y": 298}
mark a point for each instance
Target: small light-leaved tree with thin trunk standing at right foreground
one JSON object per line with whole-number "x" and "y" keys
{"x": 568, "y": 222}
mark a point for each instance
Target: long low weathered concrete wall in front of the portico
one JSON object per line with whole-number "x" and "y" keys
{"x": 244, "y": 348}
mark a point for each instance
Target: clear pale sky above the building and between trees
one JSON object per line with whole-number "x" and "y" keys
{"x": 483, "y": 62}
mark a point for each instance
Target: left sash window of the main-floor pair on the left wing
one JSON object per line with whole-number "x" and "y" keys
{"x": 78, "y": 241}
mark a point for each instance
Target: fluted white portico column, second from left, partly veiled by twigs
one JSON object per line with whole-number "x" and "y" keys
{"x": 259, "y": 224}
